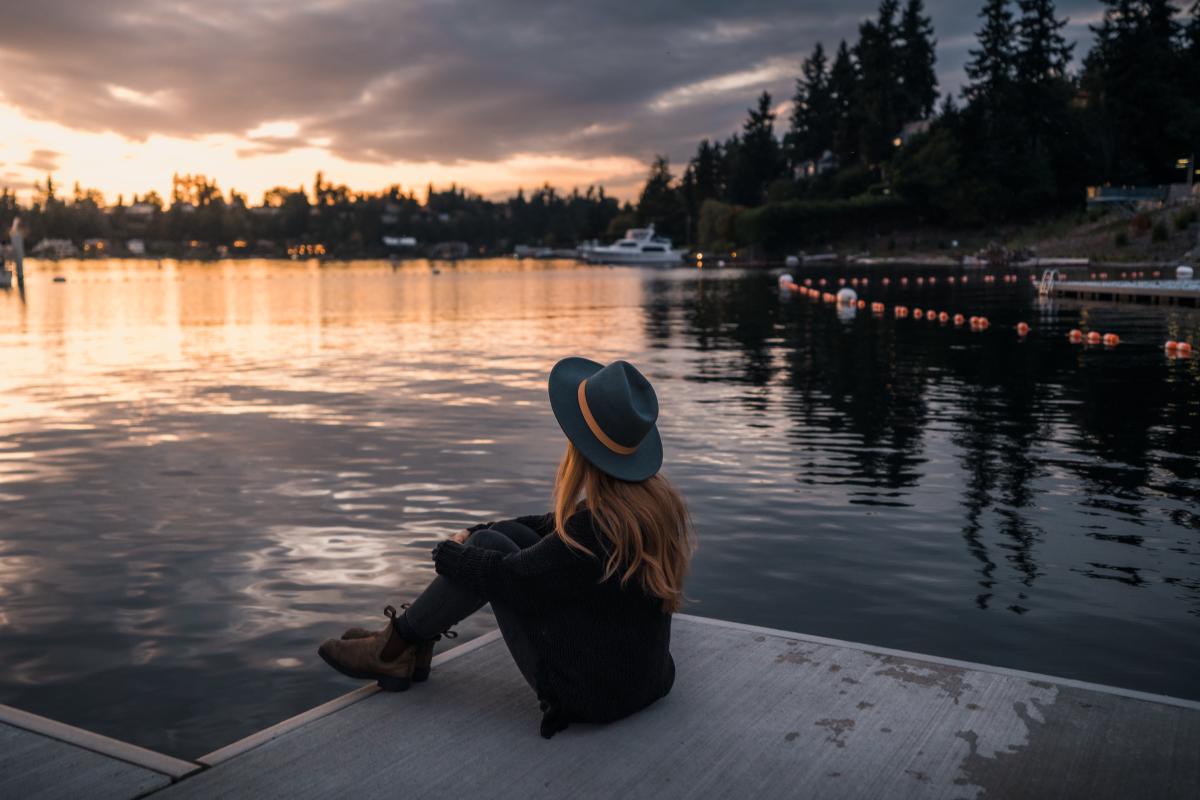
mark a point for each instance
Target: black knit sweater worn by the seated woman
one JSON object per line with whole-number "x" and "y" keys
{"x": 603, "y": 651}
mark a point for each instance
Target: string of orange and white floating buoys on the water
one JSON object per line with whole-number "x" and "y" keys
{"x": 848, "y": 297}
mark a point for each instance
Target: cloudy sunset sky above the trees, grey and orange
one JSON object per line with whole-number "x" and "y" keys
{"x": 494, "y": 95}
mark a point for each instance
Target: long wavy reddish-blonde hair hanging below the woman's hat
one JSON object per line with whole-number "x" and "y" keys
{"x": 646, "y": 522}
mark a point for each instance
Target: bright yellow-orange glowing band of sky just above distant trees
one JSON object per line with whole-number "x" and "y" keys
{"x": 118, "y": 166}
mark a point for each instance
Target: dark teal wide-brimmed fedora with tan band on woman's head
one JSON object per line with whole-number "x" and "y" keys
{"x": 609, "y": 414}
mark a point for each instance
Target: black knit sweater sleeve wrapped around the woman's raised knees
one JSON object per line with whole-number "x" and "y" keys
{"x": 547, "y": 570}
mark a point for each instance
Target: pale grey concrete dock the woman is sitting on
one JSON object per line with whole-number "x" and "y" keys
{"x": 754, "y": 713}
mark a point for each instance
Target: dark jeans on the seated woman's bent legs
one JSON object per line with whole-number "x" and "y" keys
{"x": 445, "y": 604}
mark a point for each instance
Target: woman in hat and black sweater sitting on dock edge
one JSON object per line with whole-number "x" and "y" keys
{"x": 584, "y": 596}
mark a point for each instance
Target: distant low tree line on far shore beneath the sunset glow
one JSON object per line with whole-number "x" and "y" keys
{"x": 201, "y": 219}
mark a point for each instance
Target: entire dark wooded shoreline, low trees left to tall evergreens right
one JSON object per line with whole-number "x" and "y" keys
{"x": 871, "y": 160}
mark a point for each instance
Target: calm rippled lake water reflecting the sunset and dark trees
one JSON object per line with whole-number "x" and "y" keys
{"x": 206, "y": 470}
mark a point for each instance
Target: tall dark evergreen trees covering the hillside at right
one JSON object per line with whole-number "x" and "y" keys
{"x": 869, "y": 145}
